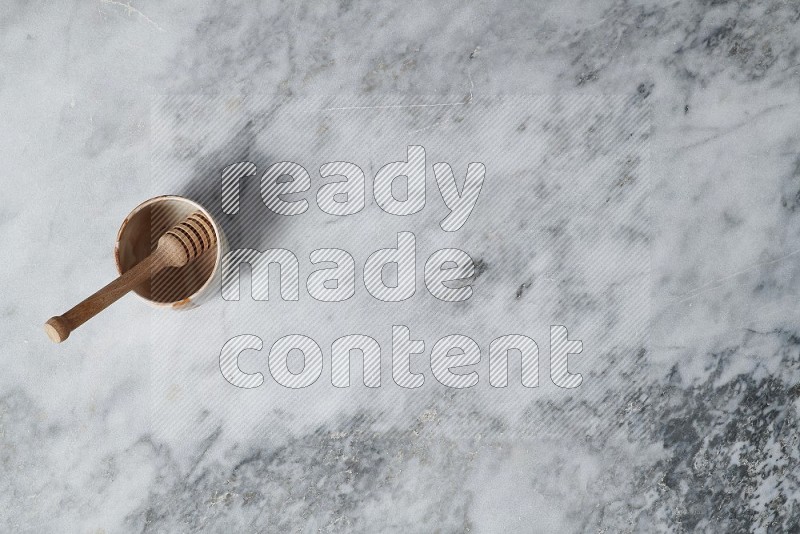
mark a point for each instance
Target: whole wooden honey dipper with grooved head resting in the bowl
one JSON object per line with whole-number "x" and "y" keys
{"x": 180, "y": 245}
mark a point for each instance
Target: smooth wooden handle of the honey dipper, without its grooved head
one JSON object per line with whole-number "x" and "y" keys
{"x": 58, "y": 328}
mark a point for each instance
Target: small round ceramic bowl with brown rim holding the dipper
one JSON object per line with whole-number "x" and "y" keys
{"x": 176, "y": 288}
